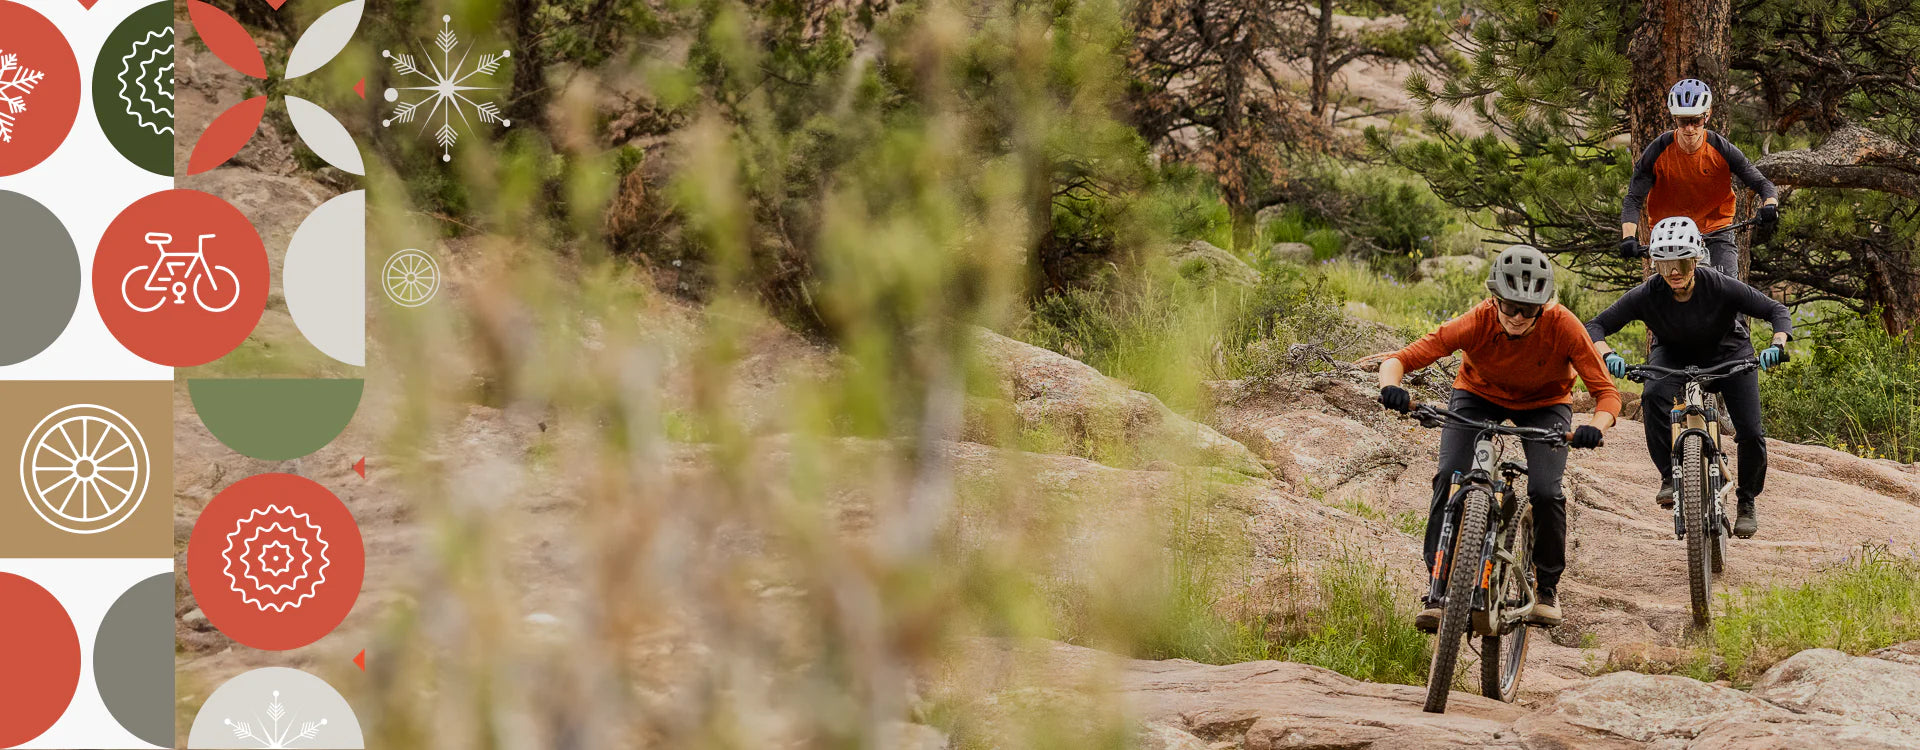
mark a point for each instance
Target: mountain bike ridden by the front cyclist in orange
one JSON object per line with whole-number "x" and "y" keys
{"x": 1483, "y": 576}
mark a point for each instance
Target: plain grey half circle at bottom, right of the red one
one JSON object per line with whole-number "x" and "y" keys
{"x": 133, "y": 661}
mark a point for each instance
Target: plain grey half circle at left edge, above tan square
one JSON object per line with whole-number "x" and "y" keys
{"x": 41, "y": 283}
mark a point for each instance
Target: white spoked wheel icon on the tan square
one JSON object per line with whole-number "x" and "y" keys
{"x": 85, "y": 469}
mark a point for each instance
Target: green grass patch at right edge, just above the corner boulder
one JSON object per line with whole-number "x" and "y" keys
{"x": 1871, "y": 601}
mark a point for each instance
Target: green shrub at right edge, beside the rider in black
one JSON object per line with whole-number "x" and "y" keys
{"x": 1852, "y": 387}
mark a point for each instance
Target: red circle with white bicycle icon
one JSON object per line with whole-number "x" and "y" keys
{"x": 181, "y": 312}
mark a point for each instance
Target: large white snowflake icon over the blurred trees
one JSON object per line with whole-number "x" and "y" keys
{"x": 446, "y": 87}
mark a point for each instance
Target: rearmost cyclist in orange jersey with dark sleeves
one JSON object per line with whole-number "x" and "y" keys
{"x": 1689, "y": 172}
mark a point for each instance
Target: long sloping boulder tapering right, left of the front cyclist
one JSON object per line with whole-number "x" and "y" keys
{"x": 1099, "y": 415}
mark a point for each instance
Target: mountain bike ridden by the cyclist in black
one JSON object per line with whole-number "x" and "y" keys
{"x": 1702, "y": 480}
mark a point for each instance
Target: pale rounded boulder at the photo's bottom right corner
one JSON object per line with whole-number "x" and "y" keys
{"x": 1860, "y": 690}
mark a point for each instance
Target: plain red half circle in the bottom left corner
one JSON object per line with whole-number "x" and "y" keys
{"x": 39, "y": 661}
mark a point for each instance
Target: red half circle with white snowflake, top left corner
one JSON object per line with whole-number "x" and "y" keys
{"x": 55, "y": 99}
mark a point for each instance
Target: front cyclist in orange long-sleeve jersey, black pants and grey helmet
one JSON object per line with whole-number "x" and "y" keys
{"x": 1522, "y": 354}
